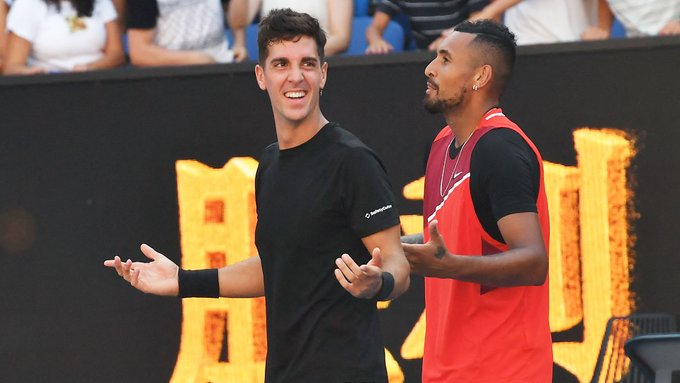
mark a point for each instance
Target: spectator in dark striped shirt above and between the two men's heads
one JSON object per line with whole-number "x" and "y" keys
{"x": 430, "y": 21}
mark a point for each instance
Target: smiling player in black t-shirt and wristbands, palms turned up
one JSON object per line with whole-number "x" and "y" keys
{"x": 327, "y": 231}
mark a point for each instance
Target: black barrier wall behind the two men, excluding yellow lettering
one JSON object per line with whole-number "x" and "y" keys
{"x": 87, "y": 169}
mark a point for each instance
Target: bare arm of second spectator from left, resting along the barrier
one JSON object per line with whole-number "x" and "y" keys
{"x": 143, "y": 52}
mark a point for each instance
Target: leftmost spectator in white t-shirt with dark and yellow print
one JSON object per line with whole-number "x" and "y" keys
{"x": 56, "y": 36}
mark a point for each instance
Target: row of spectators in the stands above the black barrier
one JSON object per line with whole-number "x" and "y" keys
{"x": 51, "y": 36}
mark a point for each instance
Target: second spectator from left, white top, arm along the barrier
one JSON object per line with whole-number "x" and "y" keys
{"x": 162, "y": 32}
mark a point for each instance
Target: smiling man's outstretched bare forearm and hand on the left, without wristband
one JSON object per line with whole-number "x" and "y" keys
{"x": 159, "y": 277}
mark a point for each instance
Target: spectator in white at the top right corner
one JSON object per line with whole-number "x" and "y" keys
{"x": 641, "y": 18}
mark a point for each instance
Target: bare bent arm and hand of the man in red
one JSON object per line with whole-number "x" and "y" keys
{"x": 524, "y": 264}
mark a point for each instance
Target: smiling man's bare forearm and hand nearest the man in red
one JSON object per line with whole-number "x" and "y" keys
{"x": 365, "y": 281}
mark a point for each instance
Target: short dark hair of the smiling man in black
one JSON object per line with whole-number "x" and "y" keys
{"x": 288, "y": 25}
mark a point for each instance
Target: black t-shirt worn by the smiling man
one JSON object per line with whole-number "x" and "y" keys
{"x": 315, "y": 202}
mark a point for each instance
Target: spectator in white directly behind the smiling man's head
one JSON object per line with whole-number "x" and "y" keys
{"x": 335, "y": 17}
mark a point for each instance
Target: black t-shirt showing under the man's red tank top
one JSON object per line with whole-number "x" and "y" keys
{"x": 504, "y": 178}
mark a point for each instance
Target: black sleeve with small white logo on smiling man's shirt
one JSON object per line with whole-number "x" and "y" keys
{"x": 367, "y": 193}
